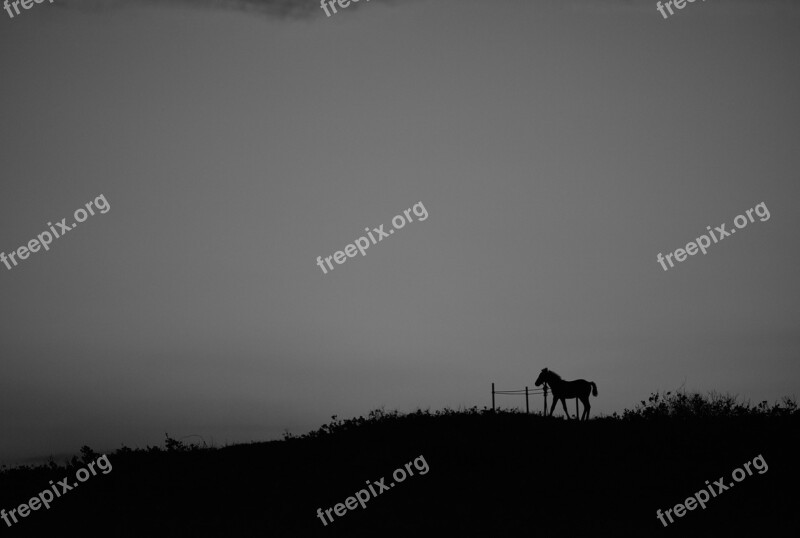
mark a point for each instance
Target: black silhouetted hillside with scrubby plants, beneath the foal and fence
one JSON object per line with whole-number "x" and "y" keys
{"x": 490, "y": 472}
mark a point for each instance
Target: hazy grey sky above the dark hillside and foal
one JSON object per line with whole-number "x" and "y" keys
{"x": 557, "y": 146}
